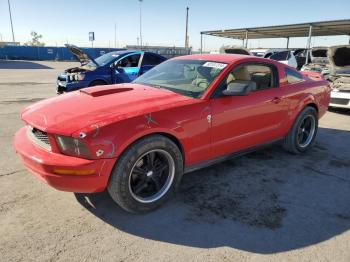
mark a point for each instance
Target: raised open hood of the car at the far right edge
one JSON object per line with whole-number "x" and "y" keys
{"x": 339, "y": 58}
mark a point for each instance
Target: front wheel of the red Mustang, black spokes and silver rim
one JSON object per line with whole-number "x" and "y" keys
{"x": 146, "y": 174}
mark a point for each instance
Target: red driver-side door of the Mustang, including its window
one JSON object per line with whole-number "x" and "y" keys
{"x": 241, "y": 122}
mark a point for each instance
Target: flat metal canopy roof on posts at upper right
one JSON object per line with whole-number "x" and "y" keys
{"x": 326, "y": 28}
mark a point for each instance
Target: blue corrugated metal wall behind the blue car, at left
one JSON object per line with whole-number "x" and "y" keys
{"x": 47, "y": 52}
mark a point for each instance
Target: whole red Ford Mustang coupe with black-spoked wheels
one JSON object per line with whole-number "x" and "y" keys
{"x": 189, "y": 112}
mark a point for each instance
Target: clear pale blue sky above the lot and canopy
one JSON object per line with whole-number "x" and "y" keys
{"x": 61, "y": 21}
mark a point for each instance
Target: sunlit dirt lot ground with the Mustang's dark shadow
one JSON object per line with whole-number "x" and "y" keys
{"x": 266, "y": 206}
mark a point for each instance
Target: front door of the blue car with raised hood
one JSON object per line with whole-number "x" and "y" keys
{"x": 127, "y": 68}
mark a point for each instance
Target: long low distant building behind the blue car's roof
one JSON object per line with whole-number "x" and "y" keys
{"x": 167, "y": 51}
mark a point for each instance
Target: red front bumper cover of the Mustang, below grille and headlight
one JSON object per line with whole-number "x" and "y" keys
{"x": 42, "y": 164}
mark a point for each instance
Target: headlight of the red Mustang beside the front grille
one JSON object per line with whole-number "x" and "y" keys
{"x": 72, "y": 147}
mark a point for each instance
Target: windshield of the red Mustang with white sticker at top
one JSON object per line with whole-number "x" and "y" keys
{"x": 187, "y": 77}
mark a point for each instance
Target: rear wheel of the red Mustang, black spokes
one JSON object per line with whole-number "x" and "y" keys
{"x": 301, "y": 136}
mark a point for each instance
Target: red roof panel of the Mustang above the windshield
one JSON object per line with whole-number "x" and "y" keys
{"x": 223, "y": 58}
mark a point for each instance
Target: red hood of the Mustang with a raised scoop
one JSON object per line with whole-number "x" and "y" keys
{"x": 101, "y": 105}
